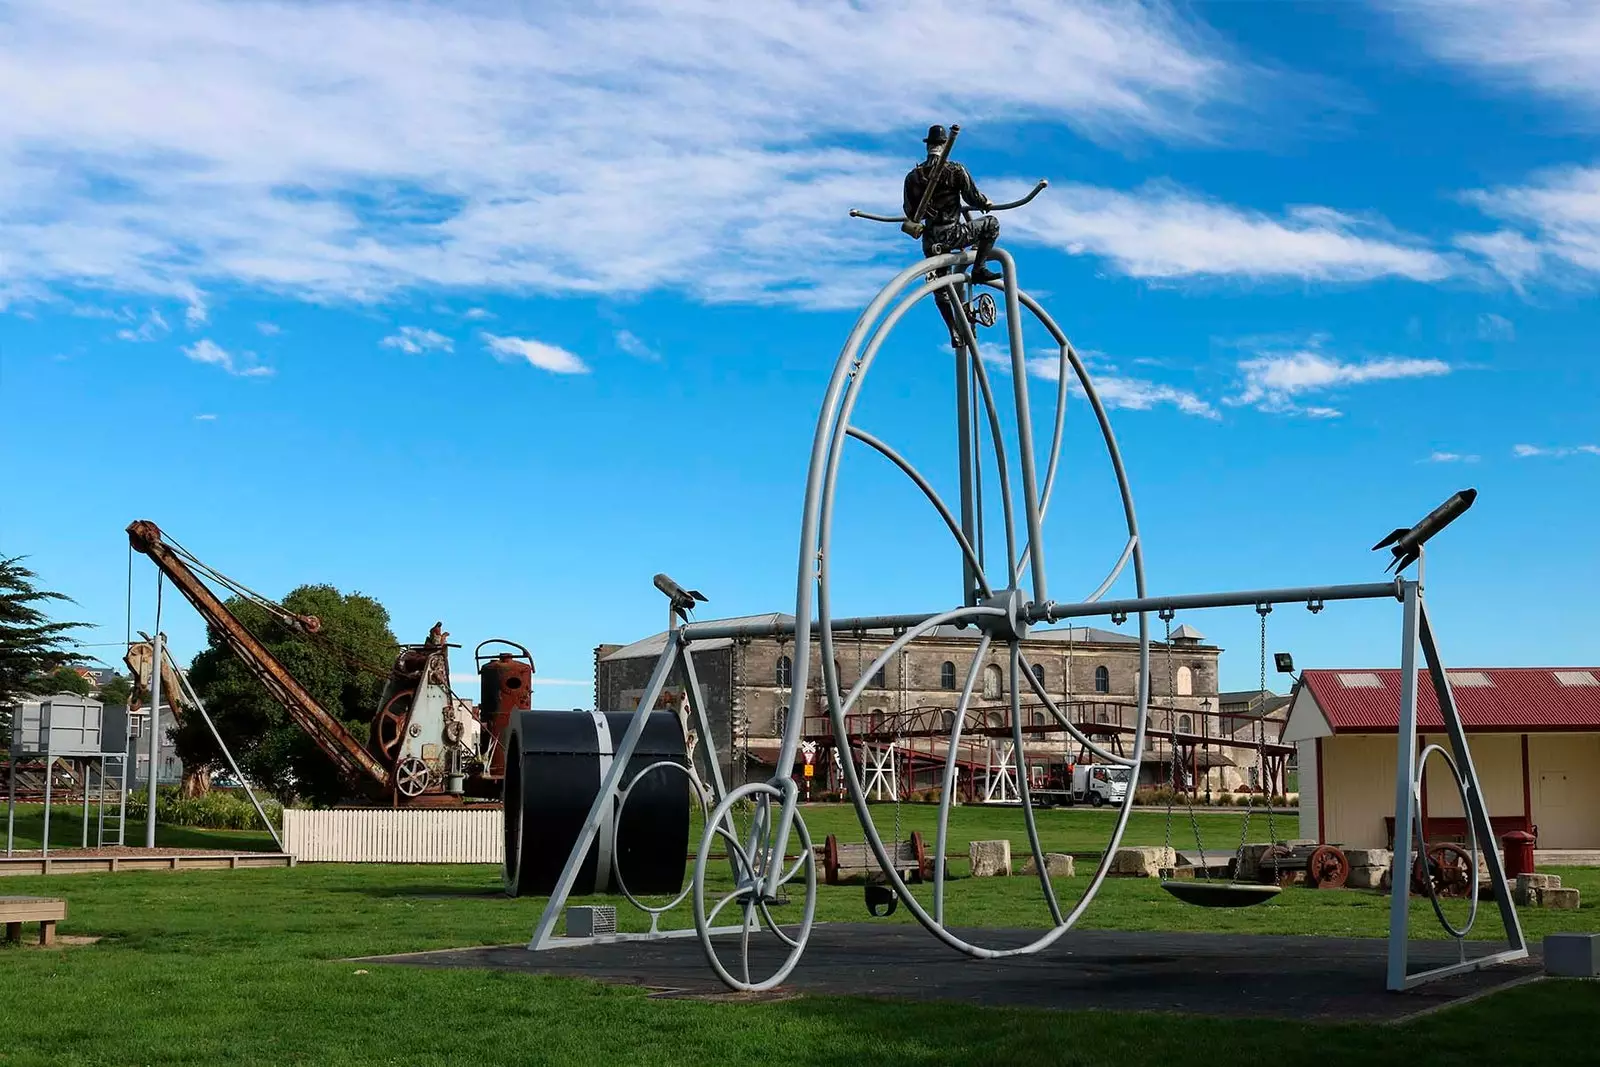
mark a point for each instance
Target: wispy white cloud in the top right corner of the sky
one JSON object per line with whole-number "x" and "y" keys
{"x": 1550, "y": 47}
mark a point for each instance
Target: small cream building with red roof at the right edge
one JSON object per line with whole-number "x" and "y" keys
{"x": 1534, "y": 732}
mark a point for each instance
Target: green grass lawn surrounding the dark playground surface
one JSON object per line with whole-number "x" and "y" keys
{"x": 246, "y": 969}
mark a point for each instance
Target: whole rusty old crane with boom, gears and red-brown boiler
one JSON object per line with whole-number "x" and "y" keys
{"x": 426, "y": 746}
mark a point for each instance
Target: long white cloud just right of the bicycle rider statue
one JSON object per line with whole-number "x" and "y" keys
{"x": 1167, "y": 233}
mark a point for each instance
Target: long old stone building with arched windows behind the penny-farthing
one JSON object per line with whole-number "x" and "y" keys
{"x": 1090, "y": 673}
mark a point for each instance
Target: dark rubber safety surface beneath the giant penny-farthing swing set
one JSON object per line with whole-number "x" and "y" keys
{"x": 1215, "y": 975}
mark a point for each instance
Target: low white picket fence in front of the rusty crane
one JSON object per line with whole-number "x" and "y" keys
{"x": 396, "y": 837}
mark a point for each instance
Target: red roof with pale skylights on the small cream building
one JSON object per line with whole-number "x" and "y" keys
{"x": 1489, "y": 698}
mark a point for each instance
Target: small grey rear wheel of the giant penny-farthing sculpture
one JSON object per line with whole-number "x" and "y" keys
{"x": 762, "y": 932}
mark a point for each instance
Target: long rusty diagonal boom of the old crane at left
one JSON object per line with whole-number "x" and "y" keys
{"x": 329, "y": 733}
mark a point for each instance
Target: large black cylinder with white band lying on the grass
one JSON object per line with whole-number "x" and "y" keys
{"x": 554, "y": 767}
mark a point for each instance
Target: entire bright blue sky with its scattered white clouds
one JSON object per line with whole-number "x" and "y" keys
{"x": 514, "y": 306}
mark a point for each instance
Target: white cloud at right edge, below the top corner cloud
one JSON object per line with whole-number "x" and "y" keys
{"x": 1553, "y": 225}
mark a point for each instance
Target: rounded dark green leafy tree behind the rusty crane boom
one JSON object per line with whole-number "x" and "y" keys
{"x": 258, "y": 730}
